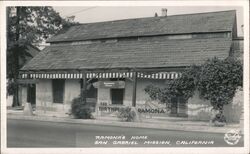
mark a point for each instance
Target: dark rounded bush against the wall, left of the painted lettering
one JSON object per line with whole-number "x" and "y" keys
{"x": 80, "y": 110}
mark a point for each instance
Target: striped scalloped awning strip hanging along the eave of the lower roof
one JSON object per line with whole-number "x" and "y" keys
{"x": 160, "y": 75}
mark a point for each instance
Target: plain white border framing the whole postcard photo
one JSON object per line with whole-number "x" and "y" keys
{"x": 243, "y": 3}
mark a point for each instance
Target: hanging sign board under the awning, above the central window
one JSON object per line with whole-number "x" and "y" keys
{"x": 109, "y": 84}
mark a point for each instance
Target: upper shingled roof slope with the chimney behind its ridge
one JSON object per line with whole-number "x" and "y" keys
{"x": 176, "y": 24}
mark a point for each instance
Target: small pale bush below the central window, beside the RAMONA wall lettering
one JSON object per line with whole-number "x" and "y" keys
{"x": 125, "y": 114}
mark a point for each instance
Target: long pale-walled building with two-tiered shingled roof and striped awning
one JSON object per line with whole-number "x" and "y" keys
{"x": 116, "y": 60}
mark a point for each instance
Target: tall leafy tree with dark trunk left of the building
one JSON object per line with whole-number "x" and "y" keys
{"x": 27, "y": 26}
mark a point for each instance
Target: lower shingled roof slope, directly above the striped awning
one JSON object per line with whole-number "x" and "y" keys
{"x": 130, "y": 54}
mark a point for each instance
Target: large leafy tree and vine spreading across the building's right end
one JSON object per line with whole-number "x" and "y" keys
{"x": 216, "y": 80}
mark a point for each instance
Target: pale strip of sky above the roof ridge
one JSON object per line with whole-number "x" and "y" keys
{"x": 97, "y": 14}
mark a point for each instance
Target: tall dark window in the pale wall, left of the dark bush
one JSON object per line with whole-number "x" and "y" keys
{"x": 58, "y": 90}
